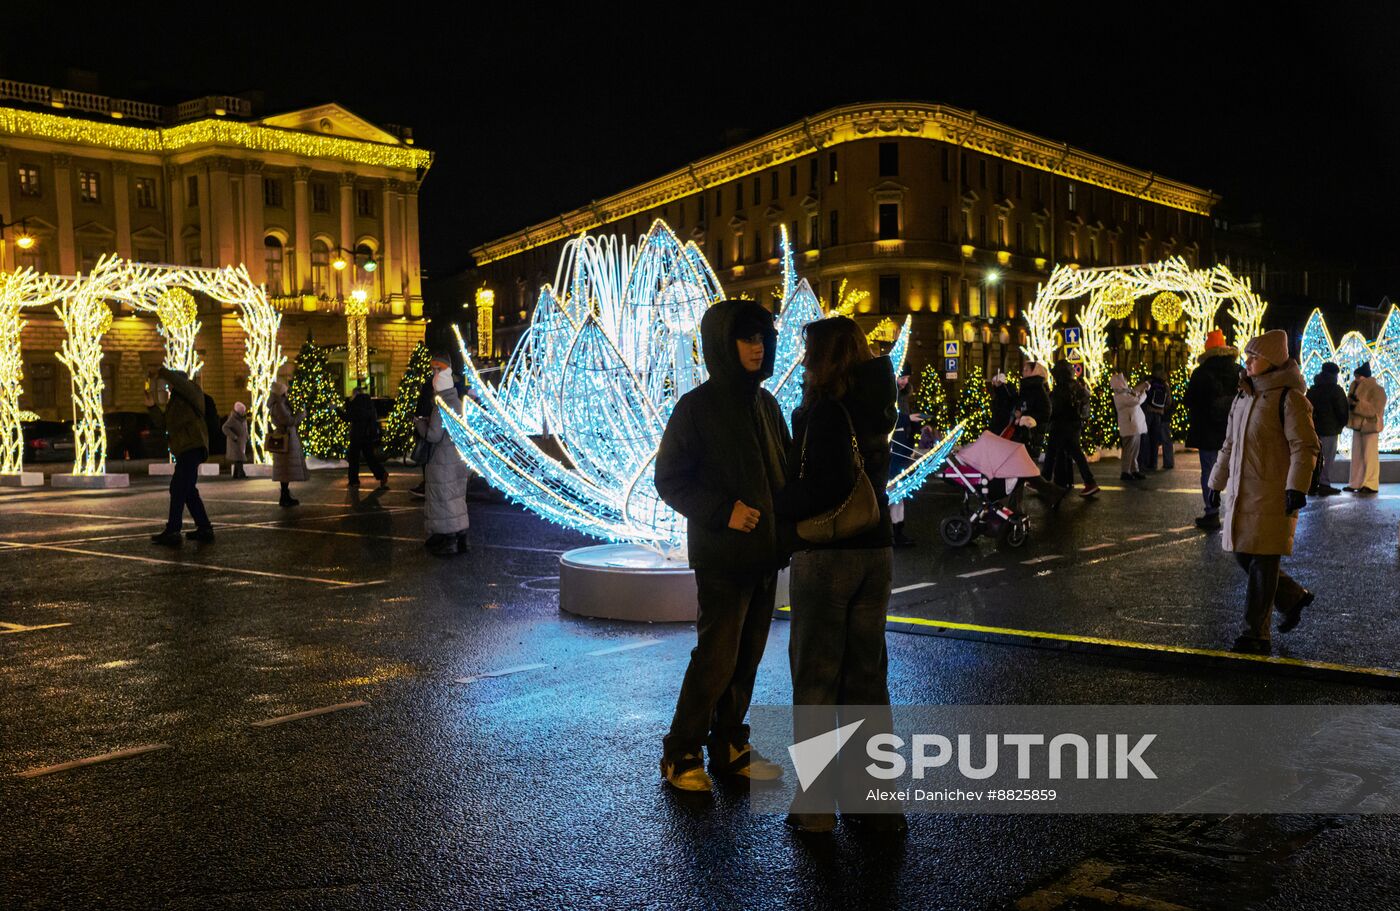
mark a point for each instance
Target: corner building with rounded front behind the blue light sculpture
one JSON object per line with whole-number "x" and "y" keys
{"x": 930, "y": 211}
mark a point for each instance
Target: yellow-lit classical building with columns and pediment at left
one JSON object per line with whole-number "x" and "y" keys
{"x": 316, "y": 204}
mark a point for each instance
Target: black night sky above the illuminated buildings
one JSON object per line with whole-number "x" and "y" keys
{"x": 533, "y": 117}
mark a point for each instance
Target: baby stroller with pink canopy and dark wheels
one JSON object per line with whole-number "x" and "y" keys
{"x": 989, "y": 472}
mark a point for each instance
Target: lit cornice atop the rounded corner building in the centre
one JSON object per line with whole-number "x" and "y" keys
{"x": 852, "y": 124}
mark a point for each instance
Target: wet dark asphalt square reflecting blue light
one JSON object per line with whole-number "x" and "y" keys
{"x": 538, "y": 790}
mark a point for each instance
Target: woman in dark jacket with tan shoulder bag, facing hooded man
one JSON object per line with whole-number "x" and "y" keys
{"x": 841, "y": 590}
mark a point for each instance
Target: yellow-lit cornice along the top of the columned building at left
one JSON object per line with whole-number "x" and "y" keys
{"x": 211, "y": 132}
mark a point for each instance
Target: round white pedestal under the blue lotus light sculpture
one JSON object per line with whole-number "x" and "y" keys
{"x": 626, "y": 583}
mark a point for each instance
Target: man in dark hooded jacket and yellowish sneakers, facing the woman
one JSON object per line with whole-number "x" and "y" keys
{"x": 720, "y": 464}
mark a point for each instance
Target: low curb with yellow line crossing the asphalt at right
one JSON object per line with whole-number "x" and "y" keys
{"x": 1216, "y": 660}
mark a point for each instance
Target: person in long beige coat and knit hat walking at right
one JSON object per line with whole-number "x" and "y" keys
{"x": 1263, "y": 471}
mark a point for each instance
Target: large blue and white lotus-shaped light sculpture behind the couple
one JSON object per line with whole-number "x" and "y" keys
{"x": 612, "y": 346}
